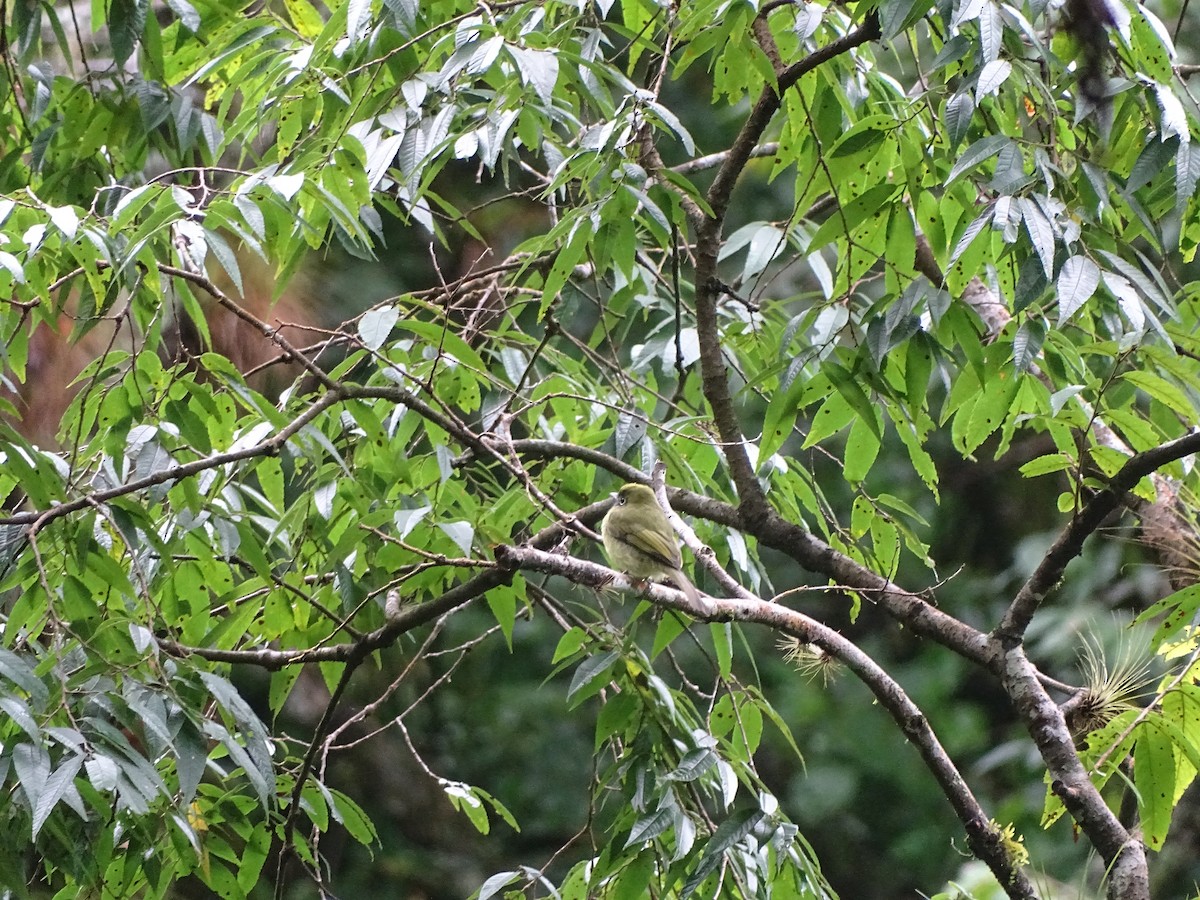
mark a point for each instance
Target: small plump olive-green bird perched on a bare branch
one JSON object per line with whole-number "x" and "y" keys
{"x": 639, "y": 541}
